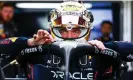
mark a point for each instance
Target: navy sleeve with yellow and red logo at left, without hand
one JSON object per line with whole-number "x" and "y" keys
{"x": 13, "y": 45}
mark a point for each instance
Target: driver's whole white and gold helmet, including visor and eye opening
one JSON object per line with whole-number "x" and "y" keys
{"x": 70, "y": 20}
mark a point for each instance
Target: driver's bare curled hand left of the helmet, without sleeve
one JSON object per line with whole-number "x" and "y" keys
{"x": 42, "y": 37}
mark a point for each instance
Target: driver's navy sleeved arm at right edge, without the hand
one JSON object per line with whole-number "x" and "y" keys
{"x": 124, "y": 48}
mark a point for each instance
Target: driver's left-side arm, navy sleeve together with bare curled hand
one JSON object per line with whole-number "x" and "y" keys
{"x": 16, "y": 44}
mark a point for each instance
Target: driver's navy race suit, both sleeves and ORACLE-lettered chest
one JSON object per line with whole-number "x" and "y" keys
{"x": 42, "y": 67}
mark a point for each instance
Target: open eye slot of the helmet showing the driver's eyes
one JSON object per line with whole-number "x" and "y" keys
{"x": 73, "y": 33}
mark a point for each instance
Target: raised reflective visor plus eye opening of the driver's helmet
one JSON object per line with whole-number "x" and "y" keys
{"x": 70, "y": 27}
